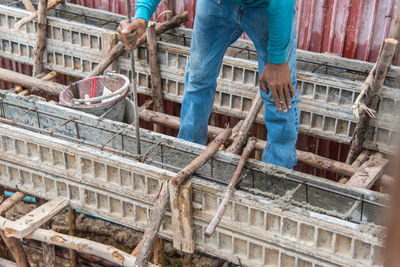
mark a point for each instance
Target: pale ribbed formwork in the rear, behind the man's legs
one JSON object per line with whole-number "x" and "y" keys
{"x": 325, "y": 99}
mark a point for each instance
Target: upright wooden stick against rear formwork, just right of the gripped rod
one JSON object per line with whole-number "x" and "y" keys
{"x": 155, "y": 73}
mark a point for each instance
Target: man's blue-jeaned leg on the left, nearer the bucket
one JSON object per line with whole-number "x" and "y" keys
{"x": 215, "y": 28}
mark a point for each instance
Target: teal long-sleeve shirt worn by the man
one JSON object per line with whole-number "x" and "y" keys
{"x": 280, "y": 16}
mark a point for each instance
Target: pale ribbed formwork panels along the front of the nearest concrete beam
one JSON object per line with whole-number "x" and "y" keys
{"x": 255, "y": 231}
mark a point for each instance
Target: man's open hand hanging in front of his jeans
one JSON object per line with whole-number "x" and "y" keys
{"x": 277, "y": 76}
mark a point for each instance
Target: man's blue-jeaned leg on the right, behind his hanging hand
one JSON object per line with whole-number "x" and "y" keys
{"x": 282, "y": 127}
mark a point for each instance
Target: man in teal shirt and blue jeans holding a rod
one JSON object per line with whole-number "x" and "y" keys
{"x": 270, "y": 24}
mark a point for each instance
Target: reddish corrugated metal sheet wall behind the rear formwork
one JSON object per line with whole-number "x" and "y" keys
{"x": 349, "y": 28}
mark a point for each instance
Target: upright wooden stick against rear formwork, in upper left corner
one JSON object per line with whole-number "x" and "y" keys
{"x": 41, "y": 38}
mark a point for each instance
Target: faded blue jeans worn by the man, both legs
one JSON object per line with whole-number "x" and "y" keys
{"x": 216, "y": 26}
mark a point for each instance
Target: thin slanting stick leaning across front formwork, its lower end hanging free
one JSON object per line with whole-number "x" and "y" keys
{"x": 231, "y": 188}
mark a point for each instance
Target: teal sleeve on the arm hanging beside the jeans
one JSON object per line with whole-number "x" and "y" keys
{"x": 280, "y": 16}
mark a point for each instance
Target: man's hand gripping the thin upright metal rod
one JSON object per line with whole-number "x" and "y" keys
{"x": 131, "y": 31}
